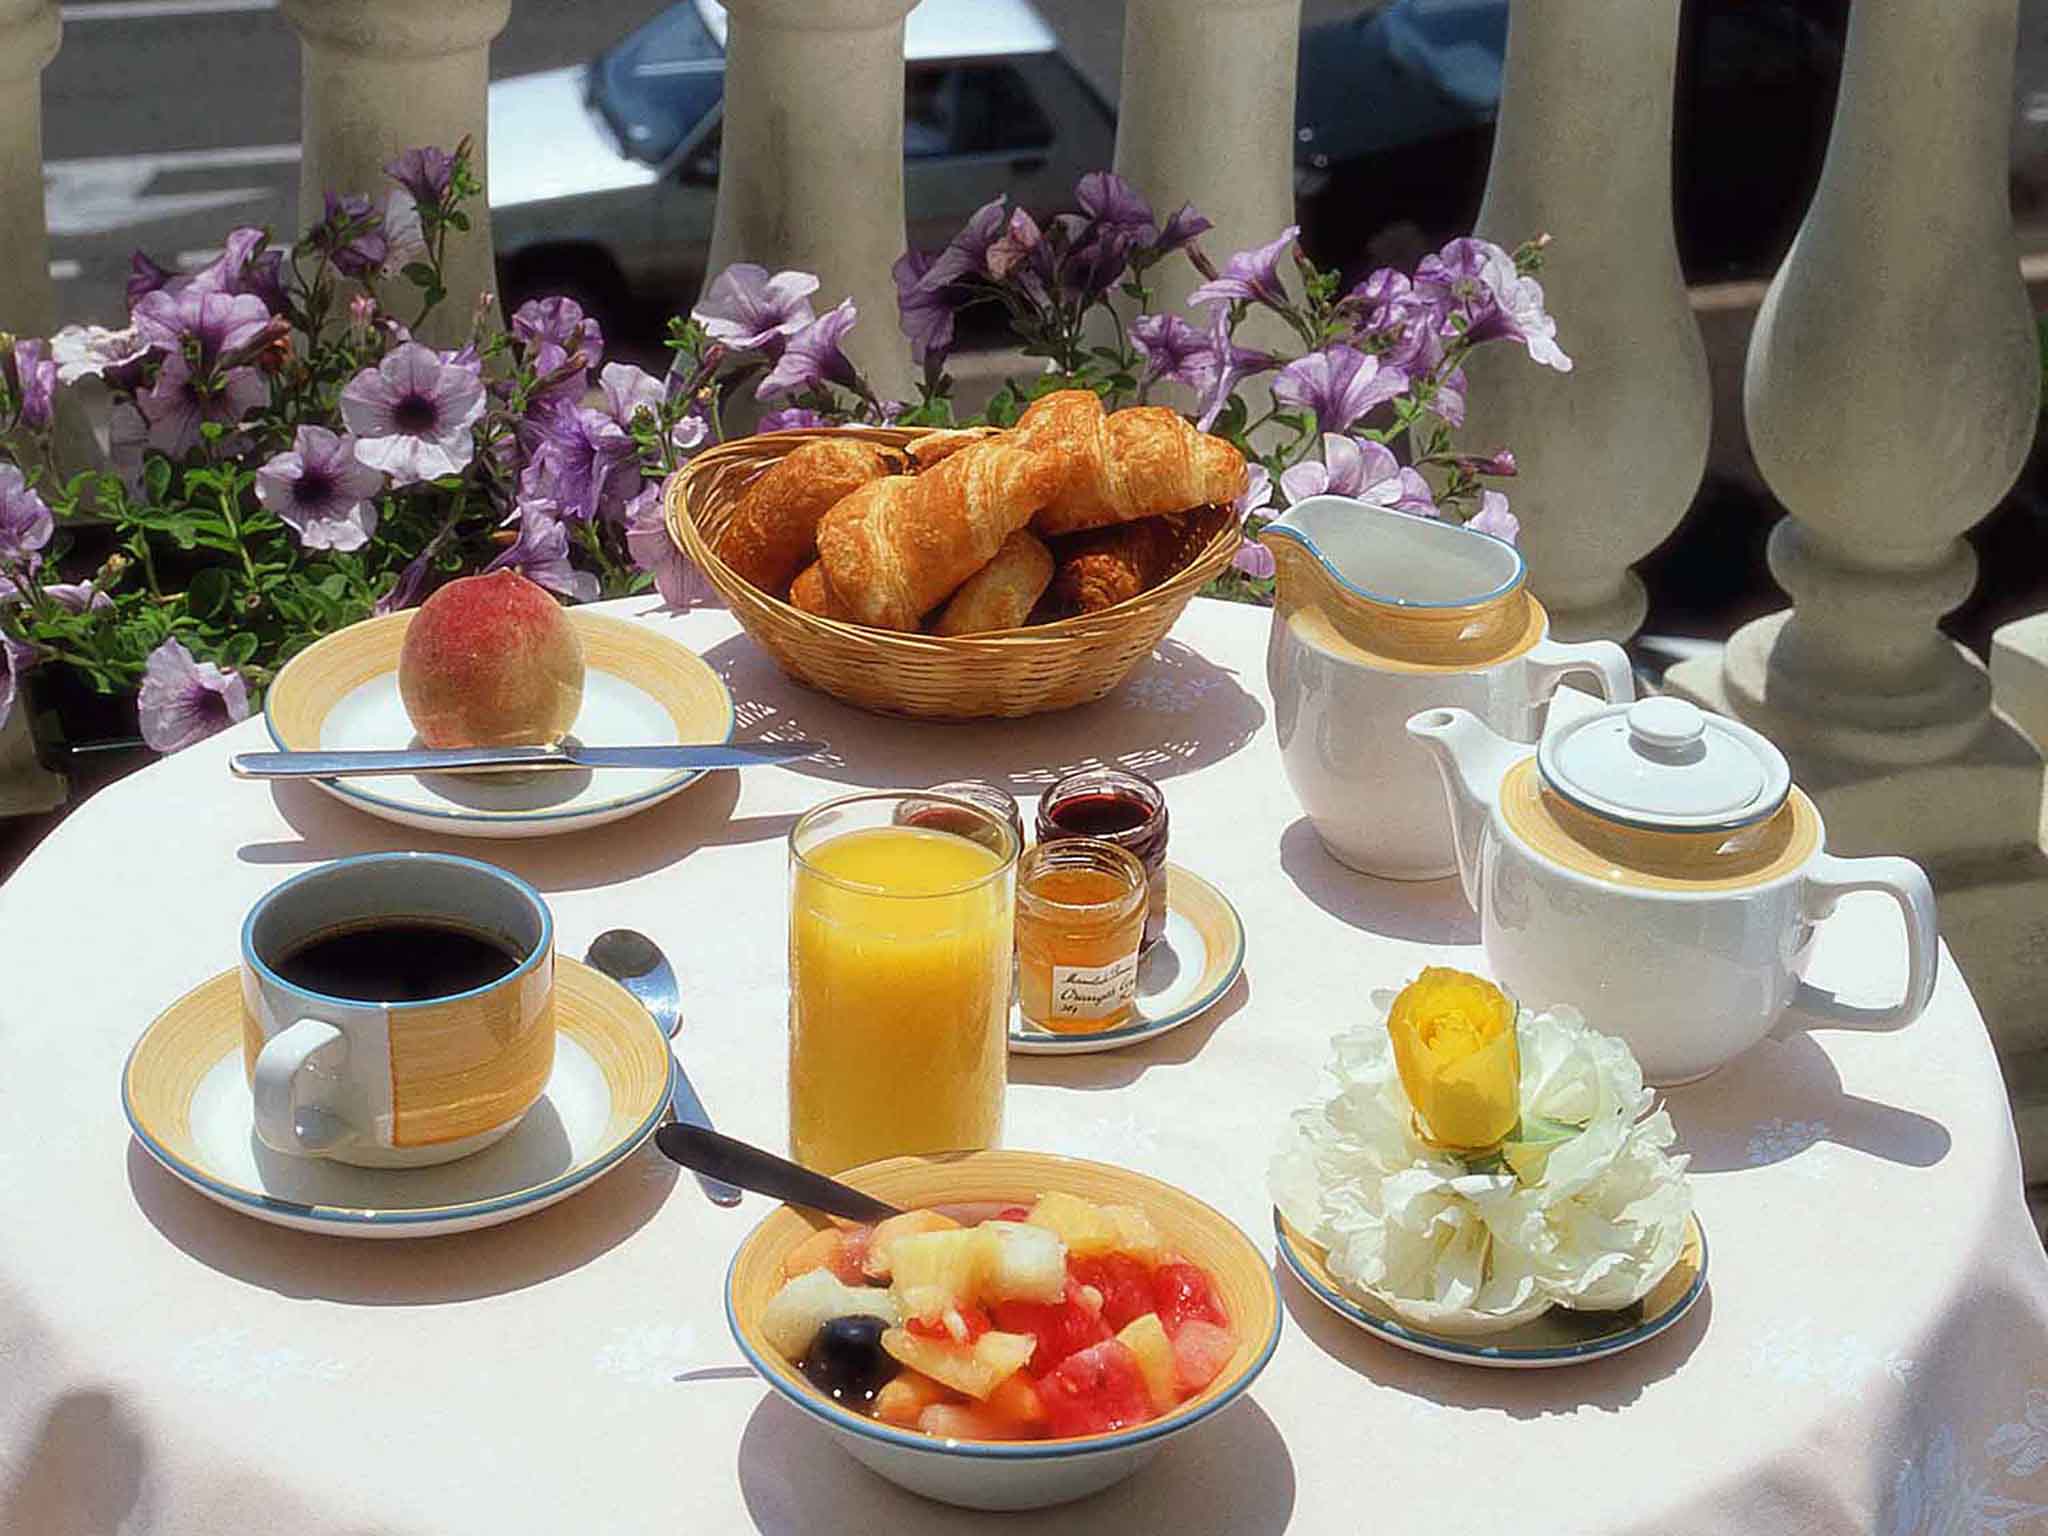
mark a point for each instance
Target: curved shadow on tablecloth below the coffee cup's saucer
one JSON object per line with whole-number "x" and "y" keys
{"x": 407, "y": 1271}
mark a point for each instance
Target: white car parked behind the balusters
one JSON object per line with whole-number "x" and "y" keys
{"x": 605, "y": 177}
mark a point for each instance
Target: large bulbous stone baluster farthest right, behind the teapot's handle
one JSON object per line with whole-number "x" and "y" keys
{"x": 1891, "y": 396}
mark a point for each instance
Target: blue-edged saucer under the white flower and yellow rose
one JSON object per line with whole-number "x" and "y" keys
{"x": 1555, "y": 1338}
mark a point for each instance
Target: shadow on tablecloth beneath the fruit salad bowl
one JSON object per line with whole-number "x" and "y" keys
{"x": 1226, "y": 1478}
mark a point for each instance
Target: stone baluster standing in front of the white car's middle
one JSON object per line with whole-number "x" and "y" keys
{"x": 812, "y": 159}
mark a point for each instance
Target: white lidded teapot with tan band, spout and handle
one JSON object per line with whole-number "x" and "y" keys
{"x": 1654, "y": 867}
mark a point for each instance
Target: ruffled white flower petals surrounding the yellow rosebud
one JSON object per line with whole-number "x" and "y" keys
{"x": 1588, "y": 1211}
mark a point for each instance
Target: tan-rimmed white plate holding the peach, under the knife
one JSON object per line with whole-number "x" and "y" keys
{"x": 640, "y": 689}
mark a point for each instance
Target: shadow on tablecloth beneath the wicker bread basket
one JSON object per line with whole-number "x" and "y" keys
{"x": 1175, "y": 714}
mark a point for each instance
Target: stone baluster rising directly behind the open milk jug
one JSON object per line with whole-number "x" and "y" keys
{"x": 1613, "y": 452}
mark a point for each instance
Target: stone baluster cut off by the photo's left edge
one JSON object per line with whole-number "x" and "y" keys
{"x": 30, "y": 36}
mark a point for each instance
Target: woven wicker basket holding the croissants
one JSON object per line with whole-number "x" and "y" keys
{"x": 925, "y": 677}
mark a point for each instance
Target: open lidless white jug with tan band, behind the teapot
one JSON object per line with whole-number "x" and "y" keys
{"x": 1377, "y": 615}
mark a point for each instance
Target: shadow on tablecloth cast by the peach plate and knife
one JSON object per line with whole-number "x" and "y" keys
{"x": 640, "y": 845}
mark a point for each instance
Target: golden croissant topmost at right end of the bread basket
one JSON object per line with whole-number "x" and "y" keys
{"x": 1132, "y": 464}
